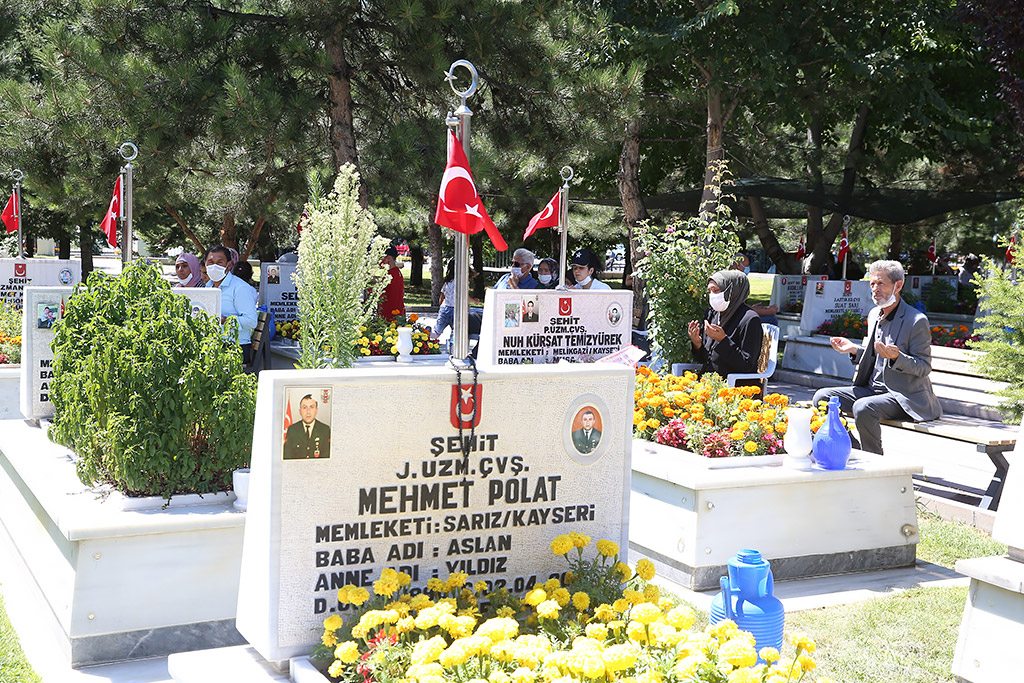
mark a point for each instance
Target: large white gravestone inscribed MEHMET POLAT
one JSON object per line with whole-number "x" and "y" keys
{"x": 383, "y": 484}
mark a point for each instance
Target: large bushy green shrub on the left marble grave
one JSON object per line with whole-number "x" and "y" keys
{"x": 150, "y": 395}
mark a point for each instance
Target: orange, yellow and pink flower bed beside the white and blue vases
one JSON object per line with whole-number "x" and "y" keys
{"x": 707, "y": 416}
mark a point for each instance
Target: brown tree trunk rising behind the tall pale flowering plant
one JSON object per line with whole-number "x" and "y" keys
{"x": 343, "y": 130}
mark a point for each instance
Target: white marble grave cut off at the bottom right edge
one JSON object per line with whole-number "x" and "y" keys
{"x": 993, "y": 626}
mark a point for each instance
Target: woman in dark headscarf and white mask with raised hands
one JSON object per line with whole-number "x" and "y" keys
{"x": 731, "y": 341}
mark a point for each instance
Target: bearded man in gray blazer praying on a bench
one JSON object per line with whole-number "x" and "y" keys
{"x": 891, "y": 380}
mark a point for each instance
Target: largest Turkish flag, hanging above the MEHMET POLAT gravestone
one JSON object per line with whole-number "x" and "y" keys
{"x": 459, "y": 205}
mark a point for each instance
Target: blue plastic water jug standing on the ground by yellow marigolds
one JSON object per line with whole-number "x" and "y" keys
{"x": 747, "y": 600}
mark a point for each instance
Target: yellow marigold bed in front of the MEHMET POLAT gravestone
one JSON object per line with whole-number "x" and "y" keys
{"x": 601, "y": 621}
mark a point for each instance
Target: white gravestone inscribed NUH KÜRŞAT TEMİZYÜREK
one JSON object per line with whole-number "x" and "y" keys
{"x": 548, "y": 326}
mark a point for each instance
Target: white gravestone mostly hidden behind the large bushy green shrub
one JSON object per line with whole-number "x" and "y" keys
{"x": 44, "y": 309}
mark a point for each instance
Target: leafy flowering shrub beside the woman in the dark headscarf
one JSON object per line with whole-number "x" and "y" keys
{"x": 676, "y": 264}
